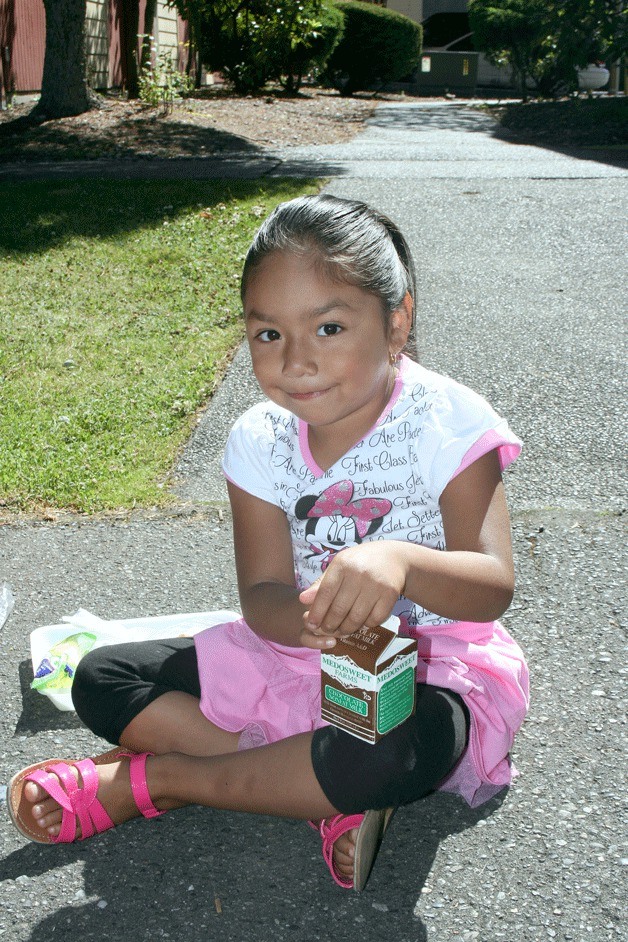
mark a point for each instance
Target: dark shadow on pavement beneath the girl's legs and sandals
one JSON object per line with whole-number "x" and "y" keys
{"x": 208, "y": 874}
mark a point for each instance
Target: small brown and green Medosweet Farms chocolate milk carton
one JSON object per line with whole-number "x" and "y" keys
{"x": 368, "y": 682}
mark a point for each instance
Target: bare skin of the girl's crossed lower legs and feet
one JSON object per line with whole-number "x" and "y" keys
{"x": 197, "y": 763}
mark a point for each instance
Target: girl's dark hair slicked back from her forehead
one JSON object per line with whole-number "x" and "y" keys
{"x": 355, "y": 244}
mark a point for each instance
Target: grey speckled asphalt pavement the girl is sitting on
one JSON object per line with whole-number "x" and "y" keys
{"x": 521, "y": 260}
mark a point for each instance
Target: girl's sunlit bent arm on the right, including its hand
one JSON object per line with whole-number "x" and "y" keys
{"x": 472, "y": 580}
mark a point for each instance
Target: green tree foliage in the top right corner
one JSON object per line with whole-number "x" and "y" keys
{"x": 545, "y": 41}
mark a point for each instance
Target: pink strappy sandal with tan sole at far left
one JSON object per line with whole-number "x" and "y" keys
{"x": 76, "y": 800}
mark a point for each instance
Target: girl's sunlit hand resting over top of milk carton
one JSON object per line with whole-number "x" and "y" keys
{"x": 360, "y": 587}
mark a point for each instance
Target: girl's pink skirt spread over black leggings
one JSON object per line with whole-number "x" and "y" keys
{"x": 266, "y": 692}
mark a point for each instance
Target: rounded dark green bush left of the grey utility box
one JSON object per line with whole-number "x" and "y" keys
{"x": 378, "y": 45}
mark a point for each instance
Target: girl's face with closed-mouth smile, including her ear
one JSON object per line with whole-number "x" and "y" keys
{"x": 320, "y": 348}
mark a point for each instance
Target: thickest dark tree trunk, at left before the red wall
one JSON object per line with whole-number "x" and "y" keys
{"x": 64, "y": 89}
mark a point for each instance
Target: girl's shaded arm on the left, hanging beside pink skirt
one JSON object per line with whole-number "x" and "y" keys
{"x": 265, "y": 569}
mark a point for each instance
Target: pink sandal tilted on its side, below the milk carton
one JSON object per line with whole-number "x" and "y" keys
{"x": 371, "y": 828}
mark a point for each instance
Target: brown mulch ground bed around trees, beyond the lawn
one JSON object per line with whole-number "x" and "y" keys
{"x": 216, "y": 123}
